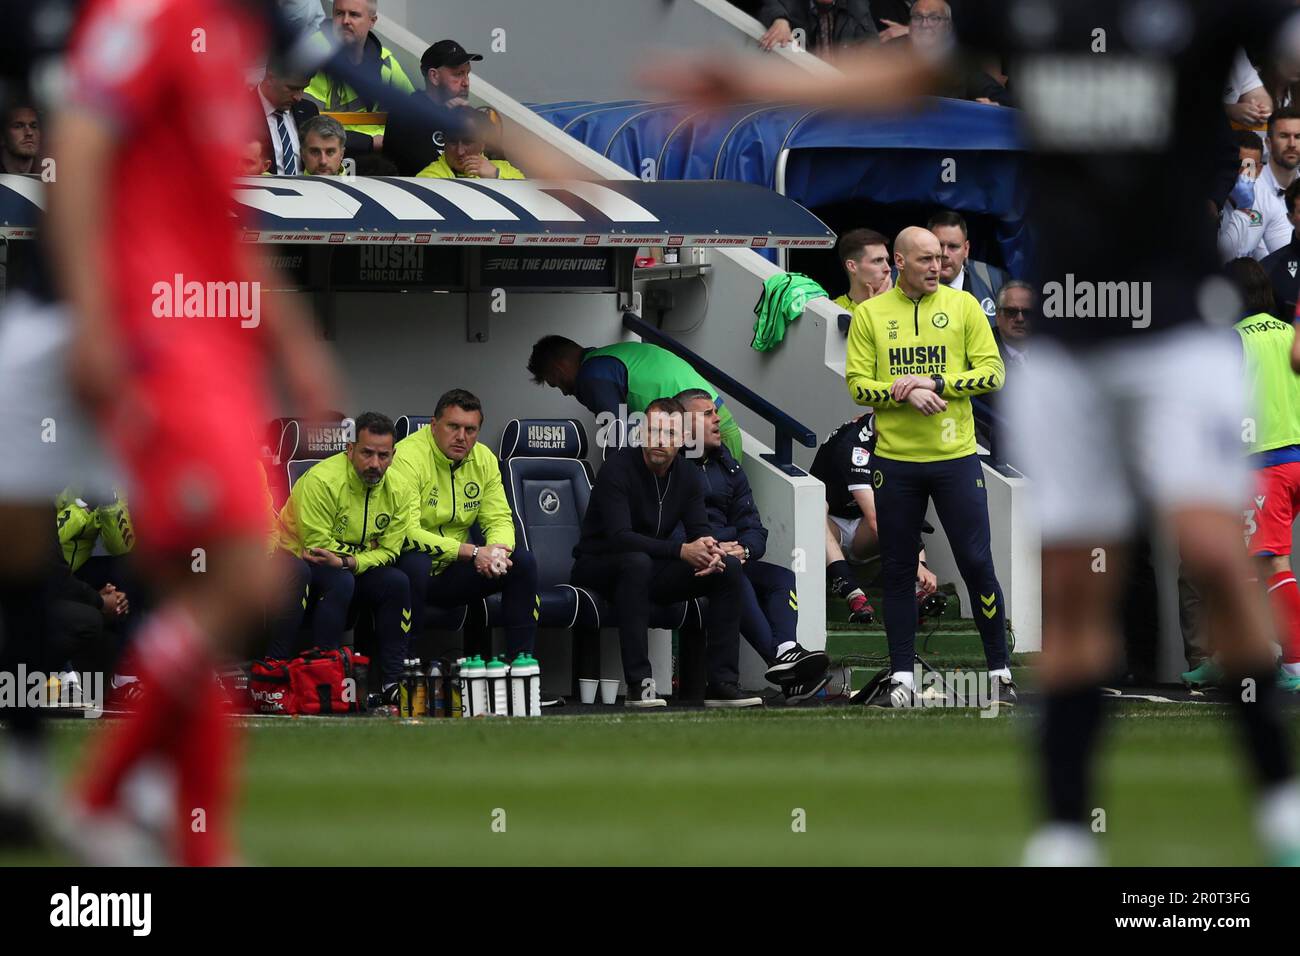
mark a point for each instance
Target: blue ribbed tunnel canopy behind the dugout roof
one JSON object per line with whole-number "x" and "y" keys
{"x": 834, "y": 157}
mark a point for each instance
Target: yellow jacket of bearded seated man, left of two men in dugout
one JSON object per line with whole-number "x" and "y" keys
{"x": 331, "y": 508}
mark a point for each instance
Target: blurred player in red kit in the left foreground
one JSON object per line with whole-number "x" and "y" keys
{"x": 157, "y": 118}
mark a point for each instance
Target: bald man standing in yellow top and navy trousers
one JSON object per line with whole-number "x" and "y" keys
{"x": 917, "y": 354}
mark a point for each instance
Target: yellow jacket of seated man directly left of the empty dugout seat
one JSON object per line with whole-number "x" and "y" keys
{"x": 452, "y": 498}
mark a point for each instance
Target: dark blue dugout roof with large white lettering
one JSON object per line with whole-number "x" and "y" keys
{"x": 491, "y": 213}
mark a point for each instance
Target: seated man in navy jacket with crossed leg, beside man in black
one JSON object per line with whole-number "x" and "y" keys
{"x": 770, "y": 605}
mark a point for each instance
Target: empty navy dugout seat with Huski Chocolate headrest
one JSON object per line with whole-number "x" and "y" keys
{"x": 548, "y": 485}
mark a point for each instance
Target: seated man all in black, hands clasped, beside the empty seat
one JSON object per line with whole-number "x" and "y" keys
{"x": 627, "y": 555}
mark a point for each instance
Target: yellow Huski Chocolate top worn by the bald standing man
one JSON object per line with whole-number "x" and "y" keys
{"x": 944, "y": 334}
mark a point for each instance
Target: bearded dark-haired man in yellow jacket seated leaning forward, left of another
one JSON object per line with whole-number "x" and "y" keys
{"x": 348, "y": 520}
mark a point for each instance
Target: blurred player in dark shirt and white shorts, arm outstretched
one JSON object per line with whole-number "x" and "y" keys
{"x": 1134, "y": 400}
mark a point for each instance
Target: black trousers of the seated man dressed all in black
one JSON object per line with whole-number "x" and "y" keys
{"x": 631, "y": 582}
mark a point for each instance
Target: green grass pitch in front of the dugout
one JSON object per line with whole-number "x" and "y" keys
{"x": 710, "y": 789}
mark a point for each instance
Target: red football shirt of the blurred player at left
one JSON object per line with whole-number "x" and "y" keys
{"x": 170, "y": 77}
